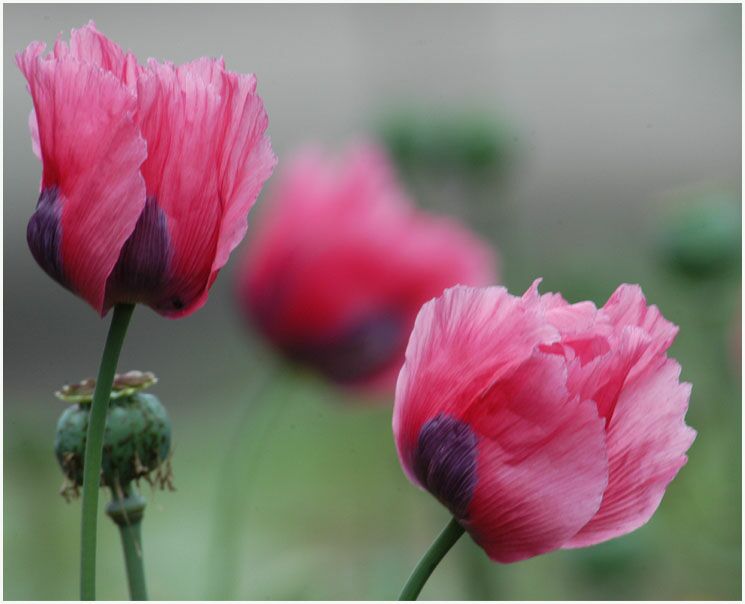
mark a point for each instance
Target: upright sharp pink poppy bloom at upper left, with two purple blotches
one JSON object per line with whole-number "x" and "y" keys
{"x": 148, "y": 171}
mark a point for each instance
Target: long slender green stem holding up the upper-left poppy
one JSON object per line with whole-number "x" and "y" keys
{"x": 94, "y": 448}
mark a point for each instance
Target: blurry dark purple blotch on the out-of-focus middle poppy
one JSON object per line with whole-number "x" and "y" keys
{"x": 355, "y": 353}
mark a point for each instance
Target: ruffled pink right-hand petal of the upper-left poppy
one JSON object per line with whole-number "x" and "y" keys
{"x": 208, "y": 157}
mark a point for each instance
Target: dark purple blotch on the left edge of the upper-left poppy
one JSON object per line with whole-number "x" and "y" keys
{"x": 44, "y": 234}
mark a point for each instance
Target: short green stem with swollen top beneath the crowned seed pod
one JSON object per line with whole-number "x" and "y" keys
{"x": 127, "y": 513}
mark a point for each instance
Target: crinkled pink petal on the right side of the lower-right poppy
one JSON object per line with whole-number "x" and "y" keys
{"x": 646, "y": 432}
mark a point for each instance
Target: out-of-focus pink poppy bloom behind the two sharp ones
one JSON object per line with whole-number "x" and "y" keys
{"x": 342, "y": 262}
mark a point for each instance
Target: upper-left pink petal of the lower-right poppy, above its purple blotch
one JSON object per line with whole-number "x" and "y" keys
{"x": 462, "y": 343}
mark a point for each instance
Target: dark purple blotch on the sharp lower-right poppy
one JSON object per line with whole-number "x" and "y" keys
{"x": 445, "y": 462}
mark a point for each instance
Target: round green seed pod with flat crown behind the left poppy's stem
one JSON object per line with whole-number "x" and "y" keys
{"x": 137, "y": 439}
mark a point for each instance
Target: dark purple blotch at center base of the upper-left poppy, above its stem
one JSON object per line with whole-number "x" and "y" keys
{"x": 141, "y": 271}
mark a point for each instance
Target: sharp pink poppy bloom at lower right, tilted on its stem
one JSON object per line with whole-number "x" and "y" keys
{"x": 541, "y": 424}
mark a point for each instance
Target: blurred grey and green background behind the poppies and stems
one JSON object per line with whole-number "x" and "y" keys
{"x": 613, "y": 154}
